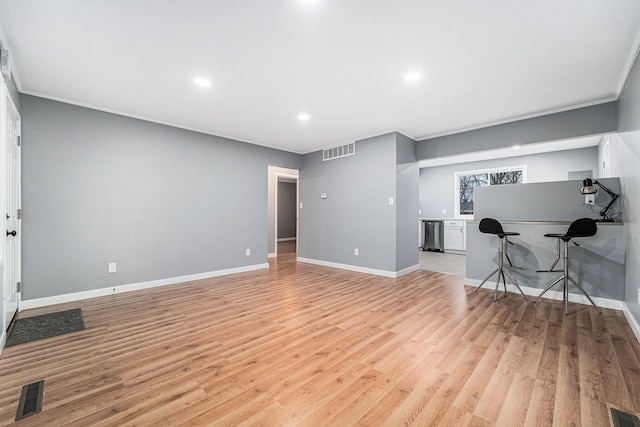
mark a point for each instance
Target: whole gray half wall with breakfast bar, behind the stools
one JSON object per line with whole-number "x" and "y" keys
{"x": 533, "y": 210}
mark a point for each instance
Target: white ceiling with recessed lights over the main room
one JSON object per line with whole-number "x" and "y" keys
{"x": 342, "y": 62}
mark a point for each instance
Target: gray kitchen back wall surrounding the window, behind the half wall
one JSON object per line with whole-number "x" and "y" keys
{"x": 437, "y": 183}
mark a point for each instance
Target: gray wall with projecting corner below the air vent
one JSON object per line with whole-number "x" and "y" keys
{"x": 356, "y": 212}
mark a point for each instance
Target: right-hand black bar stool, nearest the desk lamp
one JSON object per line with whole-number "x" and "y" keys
{"x": 583, "y": 227}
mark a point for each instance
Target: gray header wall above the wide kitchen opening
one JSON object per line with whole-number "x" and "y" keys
{"x": 592, "y": 120}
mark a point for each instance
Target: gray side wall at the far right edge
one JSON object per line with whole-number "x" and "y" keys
{"x": 626, "y": 158}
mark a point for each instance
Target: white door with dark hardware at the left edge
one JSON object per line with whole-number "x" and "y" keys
{"x": 12, "y": 236}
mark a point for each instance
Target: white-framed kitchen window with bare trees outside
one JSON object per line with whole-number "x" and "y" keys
{"x": 466, "y": 181}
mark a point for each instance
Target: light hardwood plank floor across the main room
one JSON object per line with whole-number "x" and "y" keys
{"x": 303, "y": 345}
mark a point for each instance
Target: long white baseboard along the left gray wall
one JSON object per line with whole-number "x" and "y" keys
{"x": 76, "y": 296}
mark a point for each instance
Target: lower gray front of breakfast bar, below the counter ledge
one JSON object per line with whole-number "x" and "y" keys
{"x": 597, "y": 264}
